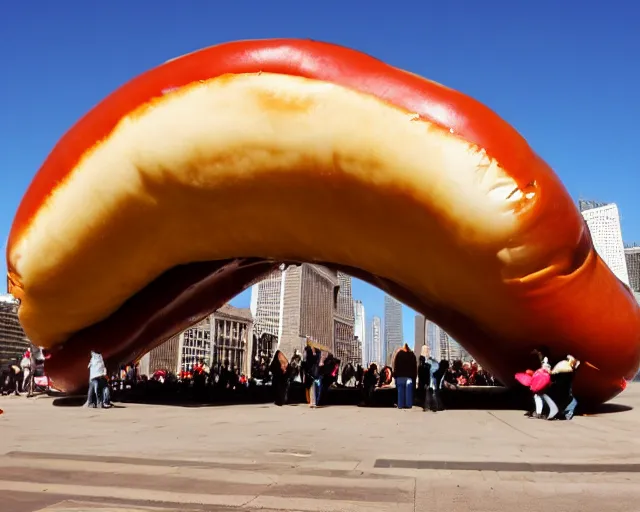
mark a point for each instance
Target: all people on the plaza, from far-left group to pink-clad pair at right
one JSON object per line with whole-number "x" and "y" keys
{"x": 416, "y": 379}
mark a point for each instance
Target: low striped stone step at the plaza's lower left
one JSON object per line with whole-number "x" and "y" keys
{"x": 177, "y": 484}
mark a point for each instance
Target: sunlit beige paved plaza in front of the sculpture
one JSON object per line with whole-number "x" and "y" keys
{"x": 261, "y": 457}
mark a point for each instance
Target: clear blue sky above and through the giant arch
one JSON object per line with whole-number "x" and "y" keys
{"x": 566, "y": 76}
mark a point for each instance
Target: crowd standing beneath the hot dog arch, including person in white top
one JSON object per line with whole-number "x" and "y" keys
{"x": 313, "y": 372}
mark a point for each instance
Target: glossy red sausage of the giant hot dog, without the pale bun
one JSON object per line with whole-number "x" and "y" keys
{"x": 570, "y": 304}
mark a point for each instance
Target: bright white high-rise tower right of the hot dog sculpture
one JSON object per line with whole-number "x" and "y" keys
{"x": 606, "y": 233}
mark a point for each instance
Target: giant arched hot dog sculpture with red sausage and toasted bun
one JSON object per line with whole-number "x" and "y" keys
{"x": 200, "y": 176}
